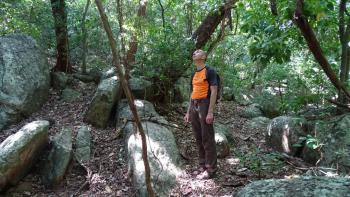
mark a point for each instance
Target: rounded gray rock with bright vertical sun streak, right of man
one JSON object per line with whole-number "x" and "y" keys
{"x": 283, "y": 132}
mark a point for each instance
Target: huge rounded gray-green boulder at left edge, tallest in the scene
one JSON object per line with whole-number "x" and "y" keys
{"x": 24, "y": 77}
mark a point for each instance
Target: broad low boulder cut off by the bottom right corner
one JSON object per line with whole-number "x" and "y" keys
{"x": 301, "y": 187}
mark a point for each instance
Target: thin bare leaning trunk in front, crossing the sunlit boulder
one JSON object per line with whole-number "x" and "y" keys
{"x": 129, "y": 96}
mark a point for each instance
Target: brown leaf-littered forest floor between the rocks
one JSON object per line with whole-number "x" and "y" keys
{"x": 249, "y": 159}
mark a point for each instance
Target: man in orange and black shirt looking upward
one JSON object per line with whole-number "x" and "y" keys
{"x": 204, "y": 86}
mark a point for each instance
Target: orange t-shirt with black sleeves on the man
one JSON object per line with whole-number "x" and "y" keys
{"x": 201, "y": 82}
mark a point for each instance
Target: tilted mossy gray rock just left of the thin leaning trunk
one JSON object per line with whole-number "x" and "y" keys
{"x": 103, "y": 102}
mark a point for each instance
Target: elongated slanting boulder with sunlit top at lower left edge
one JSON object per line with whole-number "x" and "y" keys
{"x": 20, "y": 150}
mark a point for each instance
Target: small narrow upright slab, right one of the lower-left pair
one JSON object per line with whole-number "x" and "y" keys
{"x": 83, "y": 145}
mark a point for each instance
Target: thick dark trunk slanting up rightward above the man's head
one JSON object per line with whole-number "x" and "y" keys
{"x": 210, "y": 23}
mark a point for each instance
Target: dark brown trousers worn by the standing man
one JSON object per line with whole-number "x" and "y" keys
{"x": 204, "y": 134}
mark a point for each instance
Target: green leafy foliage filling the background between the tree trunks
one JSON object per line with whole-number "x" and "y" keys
{"x": 265, "y": 52}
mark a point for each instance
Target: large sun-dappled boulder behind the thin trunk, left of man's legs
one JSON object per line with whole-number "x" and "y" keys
{"x": 163, "y": 155}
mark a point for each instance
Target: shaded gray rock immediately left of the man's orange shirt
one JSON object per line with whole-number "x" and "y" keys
{"x": 182, "y": 89}
